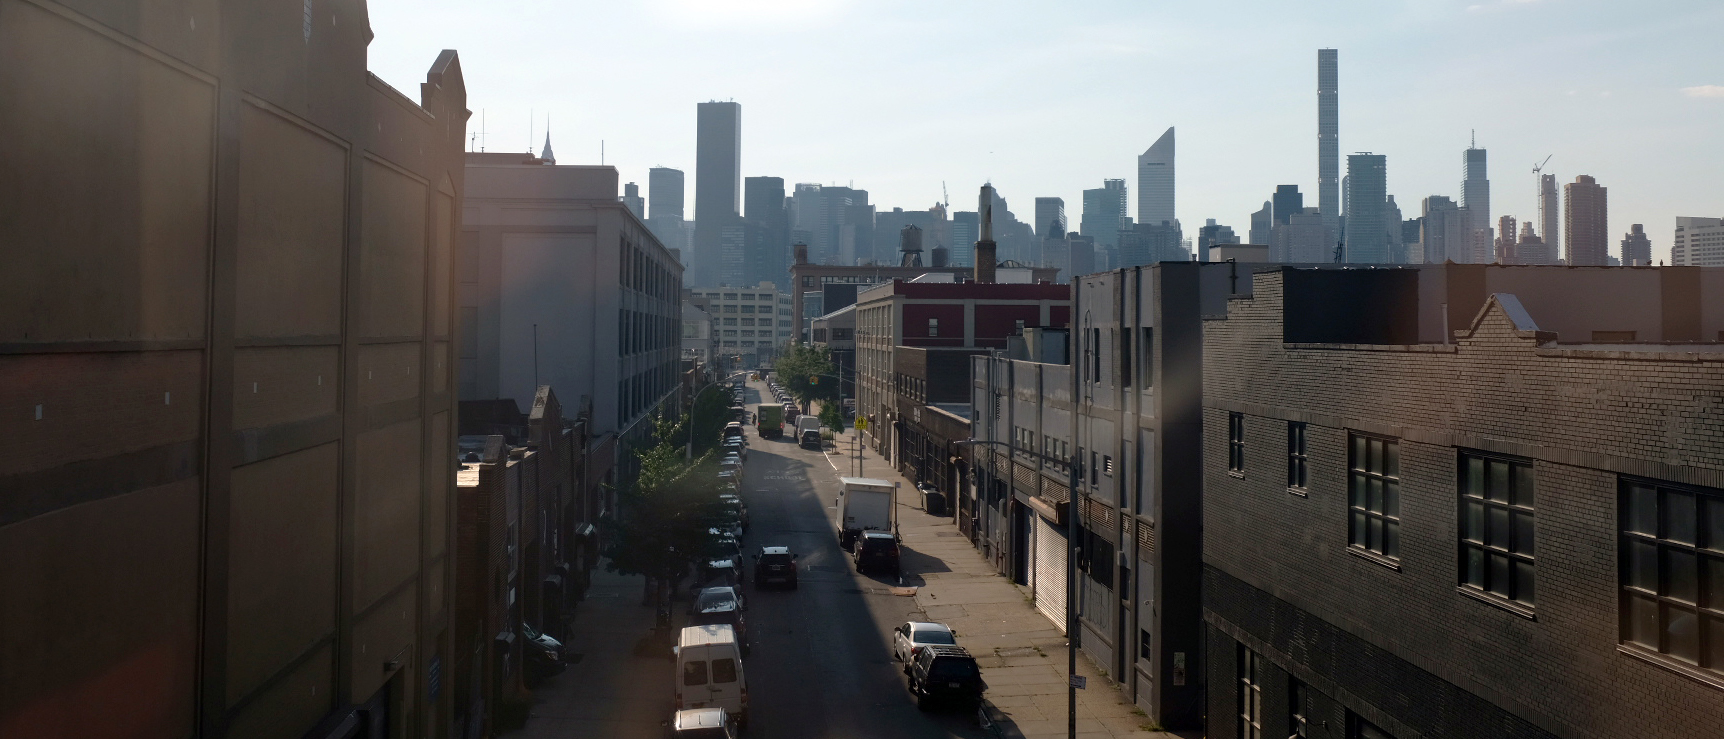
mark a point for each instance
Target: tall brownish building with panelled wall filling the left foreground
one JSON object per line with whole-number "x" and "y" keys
{"x": 227, "y": 382}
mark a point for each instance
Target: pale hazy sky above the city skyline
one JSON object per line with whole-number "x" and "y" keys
{"x": 1053, "y": 97}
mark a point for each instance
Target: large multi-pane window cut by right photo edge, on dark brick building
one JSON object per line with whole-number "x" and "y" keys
{"x": 1673, "y": 571}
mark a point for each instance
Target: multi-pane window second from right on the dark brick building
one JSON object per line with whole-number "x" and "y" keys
{"x": 1497, "y": 526}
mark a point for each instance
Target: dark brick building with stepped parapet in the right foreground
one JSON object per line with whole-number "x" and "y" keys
{"x": 1506, "y": 533}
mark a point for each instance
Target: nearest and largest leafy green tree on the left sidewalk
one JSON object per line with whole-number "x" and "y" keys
{"x": 665, "y": 521}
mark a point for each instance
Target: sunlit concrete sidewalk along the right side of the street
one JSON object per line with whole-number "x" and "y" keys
{"x": 1021, "y": 652}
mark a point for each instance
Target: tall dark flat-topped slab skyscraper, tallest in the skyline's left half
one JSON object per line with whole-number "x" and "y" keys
{"x": 718, "y": 182}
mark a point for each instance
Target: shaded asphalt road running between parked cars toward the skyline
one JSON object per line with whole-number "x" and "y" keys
{"x": 821, "y": 664}
